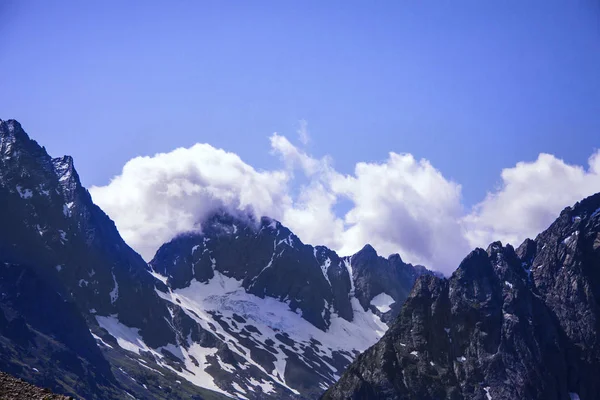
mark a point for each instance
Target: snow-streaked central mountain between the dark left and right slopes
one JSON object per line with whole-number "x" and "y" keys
{"x": 296, "y": 315}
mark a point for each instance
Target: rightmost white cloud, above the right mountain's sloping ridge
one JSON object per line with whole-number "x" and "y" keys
{"x": 530, "y": 198}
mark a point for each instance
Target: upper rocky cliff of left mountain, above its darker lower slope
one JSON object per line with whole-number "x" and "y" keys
{"x": 51, "y": 223}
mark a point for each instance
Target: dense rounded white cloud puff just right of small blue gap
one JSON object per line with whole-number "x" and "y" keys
{"x": 404, "y": 205}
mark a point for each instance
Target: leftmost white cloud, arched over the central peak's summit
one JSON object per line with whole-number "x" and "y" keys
{"x": 157, "y": 197}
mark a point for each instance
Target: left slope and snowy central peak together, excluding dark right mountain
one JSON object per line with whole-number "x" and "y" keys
{"x": 243, "y": 308}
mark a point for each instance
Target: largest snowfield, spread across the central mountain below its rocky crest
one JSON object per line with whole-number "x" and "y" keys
{"x": 226, "y": 296}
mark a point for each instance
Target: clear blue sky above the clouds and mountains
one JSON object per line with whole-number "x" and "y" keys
{"x": 471, "y": 86}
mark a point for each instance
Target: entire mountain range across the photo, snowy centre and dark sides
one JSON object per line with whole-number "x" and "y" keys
{"x": 241, "y": 308}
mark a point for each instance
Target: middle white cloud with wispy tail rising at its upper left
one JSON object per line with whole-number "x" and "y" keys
{"x": 399, "y": 206}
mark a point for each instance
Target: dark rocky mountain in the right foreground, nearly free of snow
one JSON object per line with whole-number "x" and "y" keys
{"x": 508, "y": 324}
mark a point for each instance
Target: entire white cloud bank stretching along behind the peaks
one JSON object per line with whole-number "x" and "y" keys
{"x": 401, "y": 205}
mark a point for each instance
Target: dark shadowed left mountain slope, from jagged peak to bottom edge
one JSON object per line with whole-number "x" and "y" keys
{"x": 62, "y": 265}
